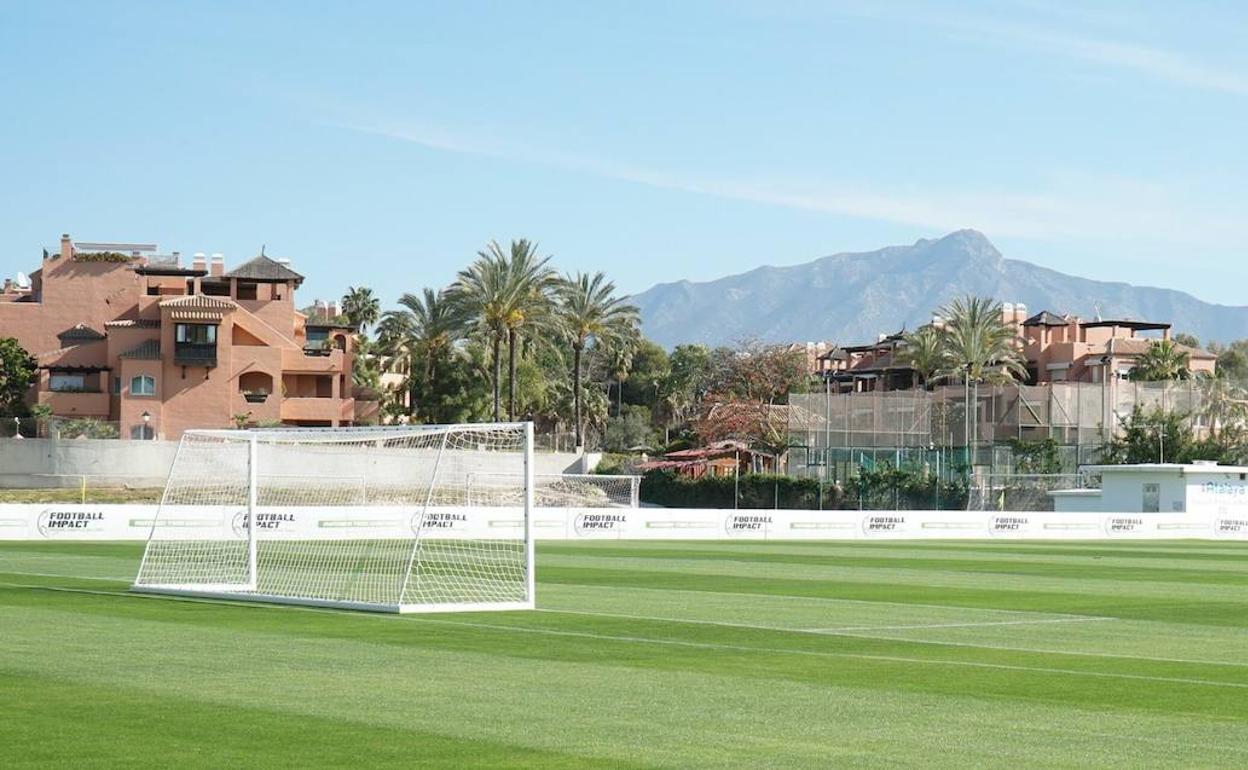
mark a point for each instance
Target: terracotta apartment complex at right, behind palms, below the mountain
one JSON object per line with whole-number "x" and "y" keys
{"x": 1058, "y": 349}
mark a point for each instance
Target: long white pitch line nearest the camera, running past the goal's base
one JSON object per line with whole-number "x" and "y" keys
{"x": 707, "y": 646}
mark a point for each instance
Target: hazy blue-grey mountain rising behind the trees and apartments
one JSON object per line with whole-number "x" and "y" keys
{"x": 853, "y": 298}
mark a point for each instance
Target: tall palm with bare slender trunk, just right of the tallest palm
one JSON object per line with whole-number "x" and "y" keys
{"x": 591, "y": 314}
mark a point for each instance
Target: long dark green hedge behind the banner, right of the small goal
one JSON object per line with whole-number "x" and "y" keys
{"x": 883, "y": 489}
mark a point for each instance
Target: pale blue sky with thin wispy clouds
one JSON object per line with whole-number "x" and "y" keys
{"x": 384, "y": 144}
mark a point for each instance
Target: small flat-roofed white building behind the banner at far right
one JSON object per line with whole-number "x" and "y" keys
{"x": 1201, "y": 487}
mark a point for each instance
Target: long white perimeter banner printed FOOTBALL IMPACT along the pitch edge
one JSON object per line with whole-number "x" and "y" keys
{"x": 69, "y": 522}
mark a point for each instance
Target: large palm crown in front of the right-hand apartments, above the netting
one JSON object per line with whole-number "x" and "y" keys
{"x": 979, "y": 345}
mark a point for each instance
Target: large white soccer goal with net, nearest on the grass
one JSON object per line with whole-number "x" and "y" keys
{"x": 421, "y": 519}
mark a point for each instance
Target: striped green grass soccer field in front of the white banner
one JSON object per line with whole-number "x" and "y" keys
{"x": 655, "y": 656}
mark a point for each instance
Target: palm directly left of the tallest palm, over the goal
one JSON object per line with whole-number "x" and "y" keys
{"x": 427, "y": 330}
